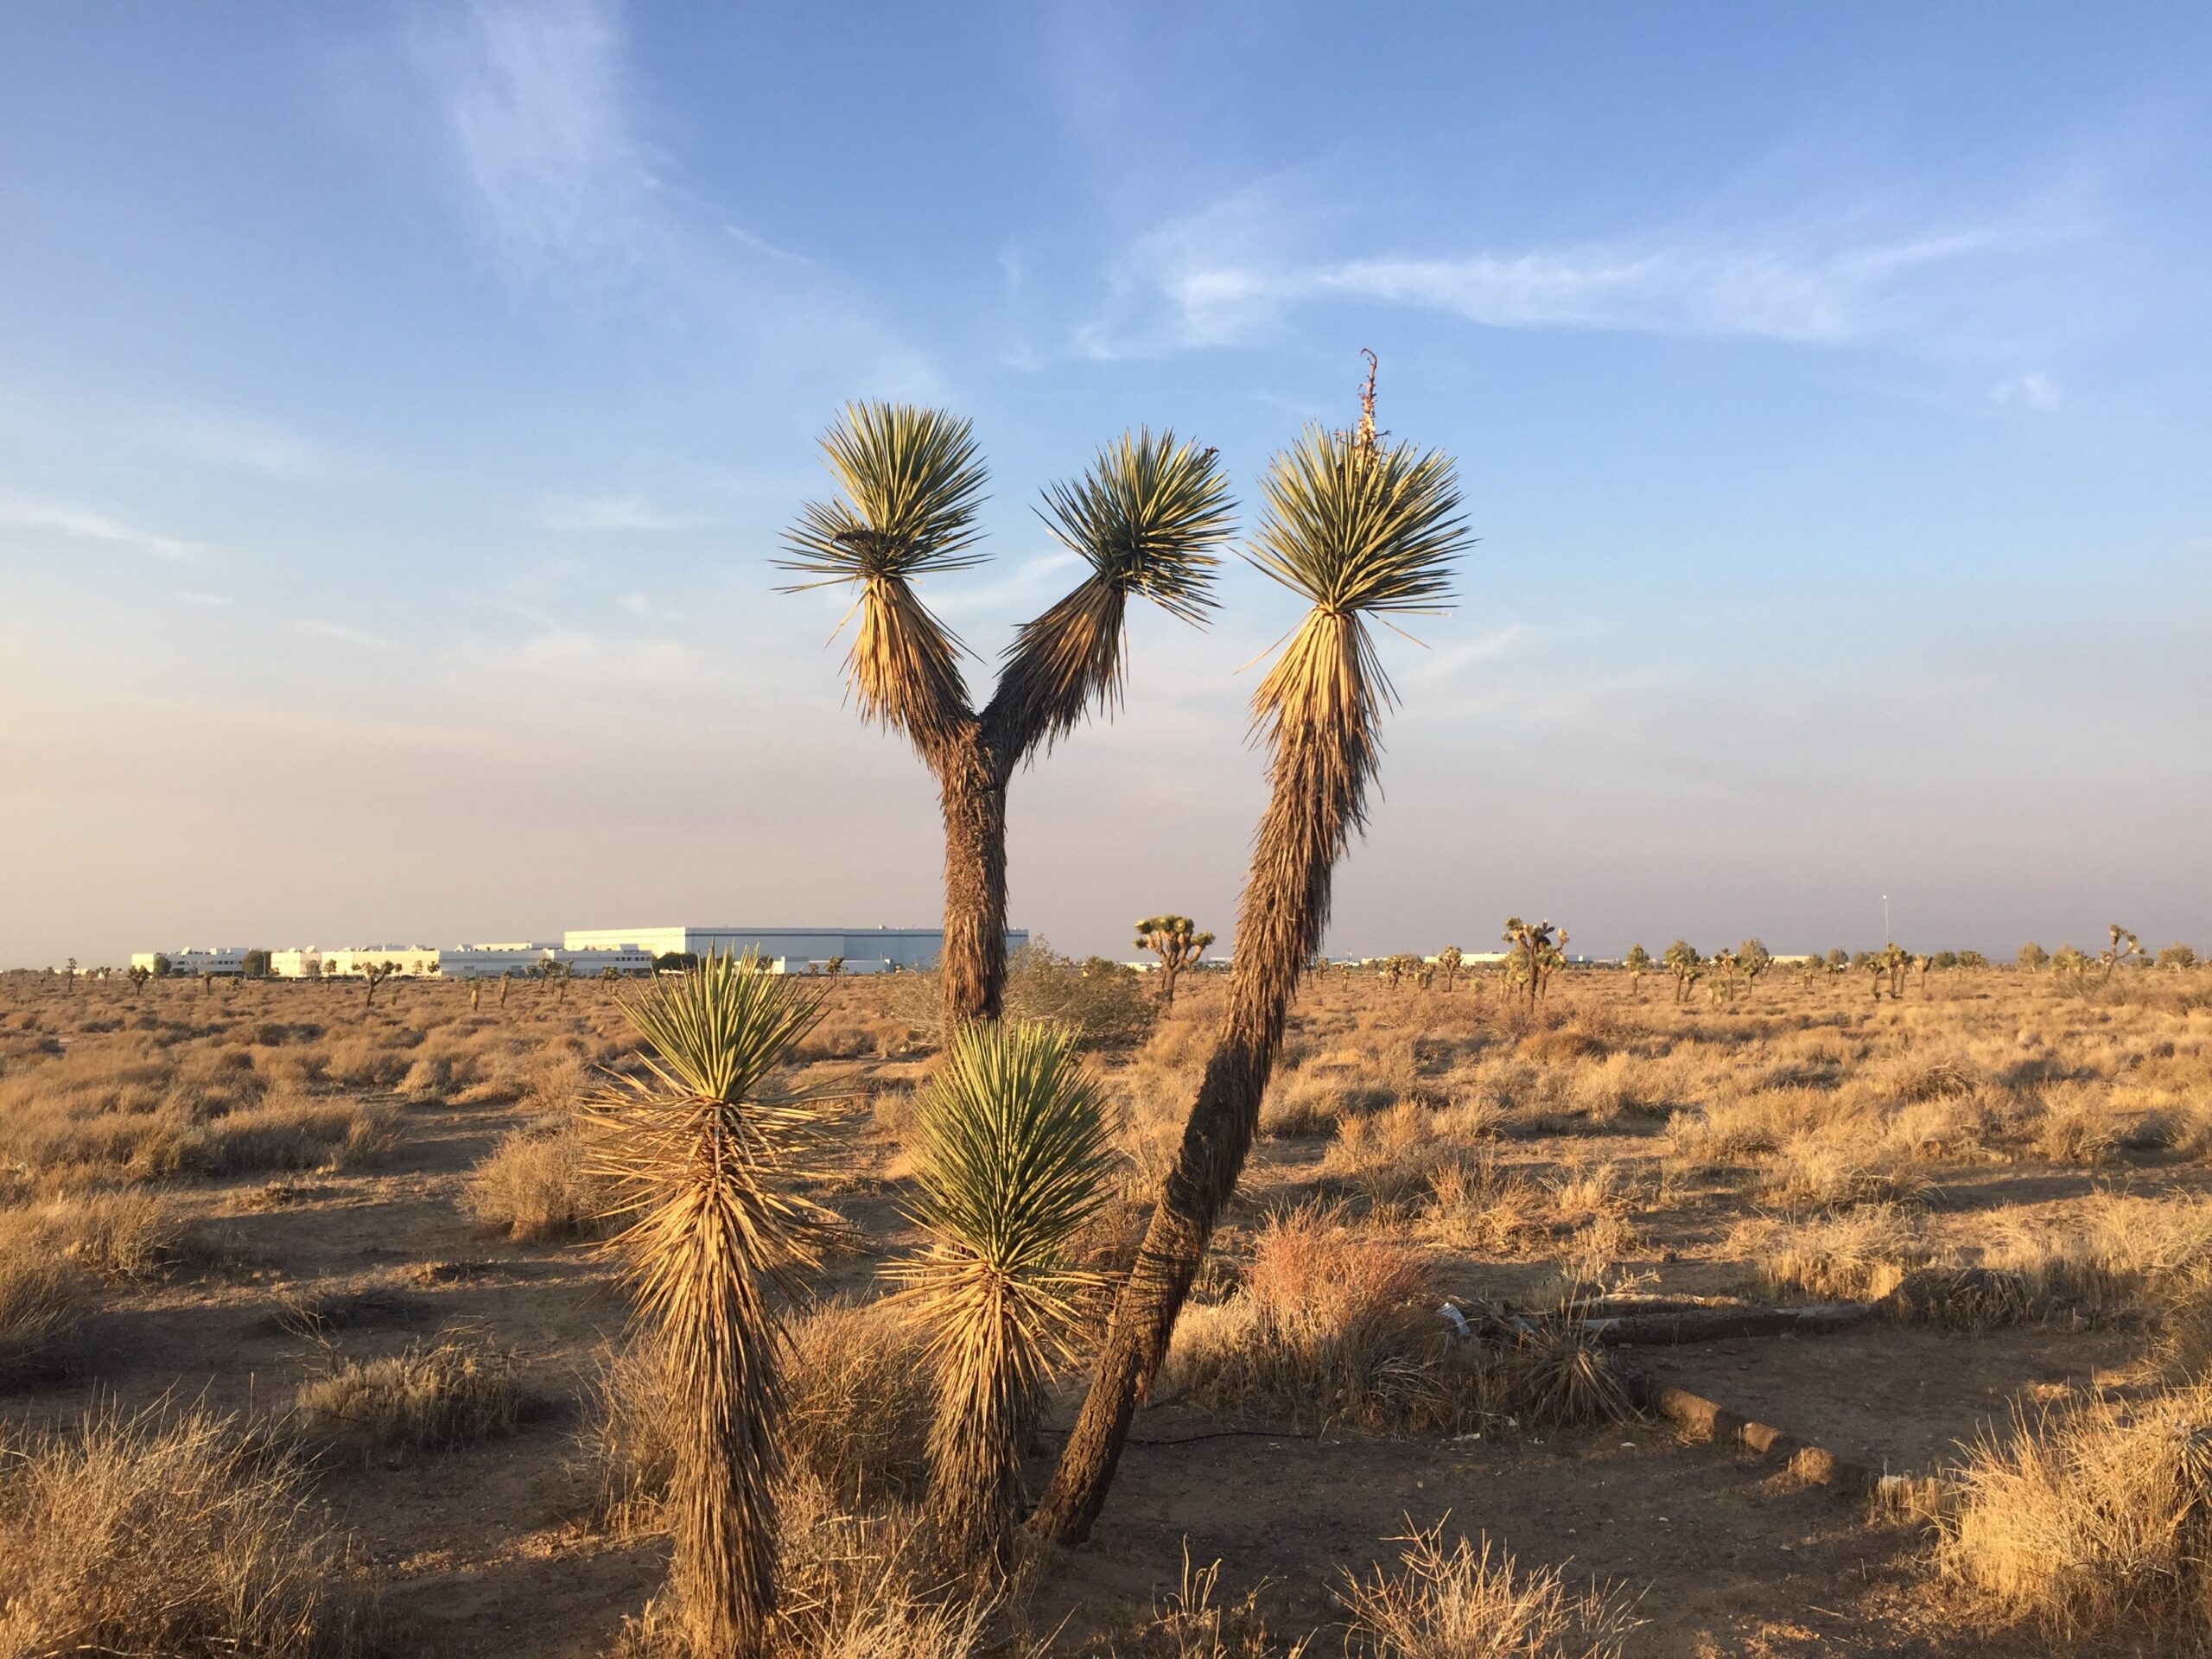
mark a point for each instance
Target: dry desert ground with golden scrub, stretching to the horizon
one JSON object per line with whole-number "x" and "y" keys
{"x": 306, "y": 1306}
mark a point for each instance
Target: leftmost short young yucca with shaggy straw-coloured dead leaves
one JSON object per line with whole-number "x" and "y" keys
{"x": 702, "y": 1154}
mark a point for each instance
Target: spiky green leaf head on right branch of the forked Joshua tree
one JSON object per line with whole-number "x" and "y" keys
{"x": 1147, "y": 517}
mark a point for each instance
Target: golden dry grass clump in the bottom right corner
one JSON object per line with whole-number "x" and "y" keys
{"x": 2096, "y": 1525}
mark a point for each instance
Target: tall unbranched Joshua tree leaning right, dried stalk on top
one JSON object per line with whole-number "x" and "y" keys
{"x": 1359, "y": 530}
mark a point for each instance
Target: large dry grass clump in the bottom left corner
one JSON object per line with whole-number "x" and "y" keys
{"x": 165, "y": 1536}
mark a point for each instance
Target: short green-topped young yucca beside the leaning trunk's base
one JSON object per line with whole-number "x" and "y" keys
{"x": 1010, "y": 1160}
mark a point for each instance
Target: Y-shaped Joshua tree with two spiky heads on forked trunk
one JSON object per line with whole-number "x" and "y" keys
{"x": 1147, "y": 521}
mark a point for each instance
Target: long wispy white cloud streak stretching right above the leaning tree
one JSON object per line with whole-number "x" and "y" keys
{"x": 1242, "y": 269}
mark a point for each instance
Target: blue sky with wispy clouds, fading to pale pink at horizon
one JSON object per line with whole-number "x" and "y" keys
{"x": 399, "y": 408}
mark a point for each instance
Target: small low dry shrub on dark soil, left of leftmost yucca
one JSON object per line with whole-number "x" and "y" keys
{"x": 428, "y": 1397}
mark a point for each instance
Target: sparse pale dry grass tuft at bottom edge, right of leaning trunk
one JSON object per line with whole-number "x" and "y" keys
{"x": 1468, "y": 1603}
